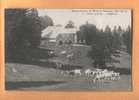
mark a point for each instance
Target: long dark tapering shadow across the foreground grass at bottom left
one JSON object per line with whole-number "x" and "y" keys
{"x": 19, "y": 85}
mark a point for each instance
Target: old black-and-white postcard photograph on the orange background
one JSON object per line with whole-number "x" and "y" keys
{"x": 68, "y": 49}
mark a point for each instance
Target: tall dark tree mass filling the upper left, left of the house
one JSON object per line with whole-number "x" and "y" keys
{"x": 23, "y": 31}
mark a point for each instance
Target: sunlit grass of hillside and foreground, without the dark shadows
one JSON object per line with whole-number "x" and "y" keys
{"x": 27, "y": 73}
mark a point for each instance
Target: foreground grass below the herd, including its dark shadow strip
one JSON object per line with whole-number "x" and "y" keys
{"x": 30, "y": 77}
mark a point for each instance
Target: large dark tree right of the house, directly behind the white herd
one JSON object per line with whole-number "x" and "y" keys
{"x": 102, "y": 51}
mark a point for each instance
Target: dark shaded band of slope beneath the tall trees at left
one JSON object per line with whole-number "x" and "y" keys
{"x": 31, "y": 57}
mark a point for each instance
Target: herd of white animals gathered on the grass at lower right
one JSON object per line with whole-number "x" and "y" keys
{"x": 95, "y": 75}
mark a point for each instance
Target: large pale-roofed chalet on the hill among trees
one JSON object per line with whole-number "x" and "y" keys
{"x": 59, "y": 34}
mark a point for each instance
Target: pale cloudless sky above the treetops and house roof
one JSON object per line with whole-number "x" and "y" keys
{"x": 100, "y": 17}
